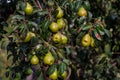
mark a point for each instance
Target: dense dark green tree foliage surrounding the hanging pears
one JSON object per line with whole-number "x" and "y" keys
{"x": 98, "y": 62}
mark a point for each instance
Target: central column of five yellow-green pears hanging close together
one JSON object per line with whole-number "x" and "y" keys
{"x": 58, "y": 37}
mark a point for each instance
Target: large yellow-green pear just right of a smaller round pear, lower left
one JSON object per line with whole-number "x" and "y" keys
{"x": 48, "y": 59}
